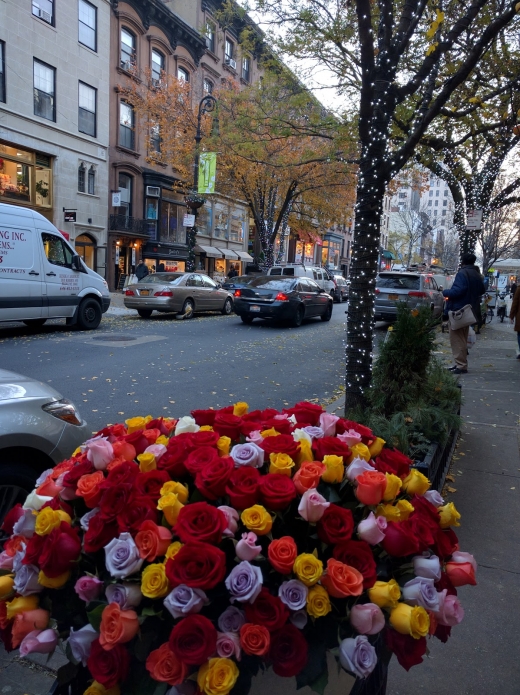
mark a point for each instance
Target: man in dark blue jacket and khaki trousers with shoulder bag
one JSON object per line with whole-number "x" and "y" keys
{"x": 468, "y": 288}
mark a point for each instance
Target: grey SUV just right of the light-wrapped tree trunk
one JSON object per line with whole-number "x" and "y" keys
{"x": 415, "y": 289}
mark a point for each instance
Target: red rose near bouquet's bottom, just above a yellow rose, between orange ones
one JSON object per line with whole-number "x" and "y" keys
{"x": 193, "y": 640}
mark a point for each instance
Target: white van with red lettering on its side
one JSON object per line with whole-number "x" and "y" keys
{"x": 42, "y": 277}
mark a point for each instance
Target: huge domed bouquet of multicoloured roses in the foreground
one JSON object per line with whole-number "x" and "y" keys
{"x": 192, "y": 553}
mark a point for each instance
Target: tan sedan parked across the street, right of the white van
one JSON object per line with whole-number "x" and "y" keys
{"x": 183, "y": 293}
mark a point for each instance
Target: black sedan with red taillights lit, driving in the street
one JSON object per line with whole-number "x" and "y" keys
{"x": 283, "y": 299}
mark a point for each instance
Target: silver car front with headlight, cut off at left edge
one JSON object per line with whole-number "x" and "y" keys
{"x": 38, "y": 428}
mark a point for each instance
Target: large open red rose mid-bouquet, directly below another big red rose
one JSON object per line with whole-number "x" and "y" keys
{"x": 198, "y": 565}
